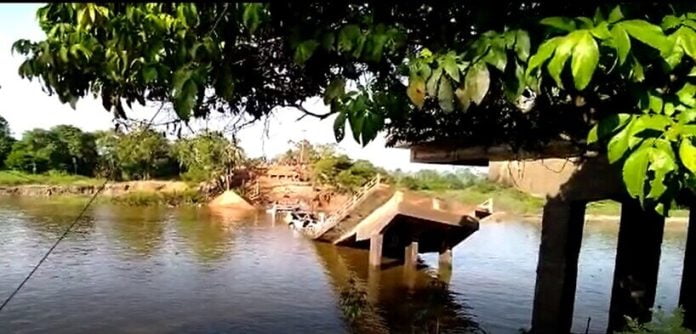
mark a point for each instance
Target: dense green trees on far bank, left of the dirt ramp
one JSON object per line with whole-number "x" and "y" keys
{"x": 140, "y": 154}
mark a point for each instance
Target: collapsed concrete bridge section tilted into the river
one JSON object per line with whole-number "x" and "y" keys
{"x": 396, "y": 224}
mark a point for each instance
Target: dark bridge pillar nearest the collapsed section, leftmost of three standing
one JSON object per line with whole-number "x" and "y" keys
{"x": 557, "y": 269}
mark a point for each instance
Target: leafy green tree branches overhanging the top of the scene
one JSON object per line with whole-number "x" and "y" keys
{"x": 619, "y": 78}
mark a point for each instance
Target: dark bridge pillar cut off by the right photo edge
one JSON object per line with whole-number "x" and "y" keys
{"x": 687, "y": 298}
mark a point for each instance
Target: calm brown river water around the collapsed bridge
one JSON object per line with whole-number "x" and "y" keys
{"x": 188, "y": 270}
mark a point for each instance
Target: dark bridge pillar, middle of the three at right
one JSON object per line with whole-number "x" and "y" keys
{"x": 637, "y": 263}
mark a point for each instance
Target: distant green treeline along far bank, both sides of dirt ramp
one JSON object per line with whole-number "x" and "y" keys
{"x": 143, "y": 154}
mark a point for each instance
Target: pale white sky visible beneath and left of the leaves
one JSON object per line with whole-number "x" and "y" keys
{"x": 25, "y": 106}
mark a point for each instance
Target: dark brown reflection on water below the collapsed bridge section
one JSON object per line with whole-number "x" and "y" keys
{"x": 392, "y": 299}
